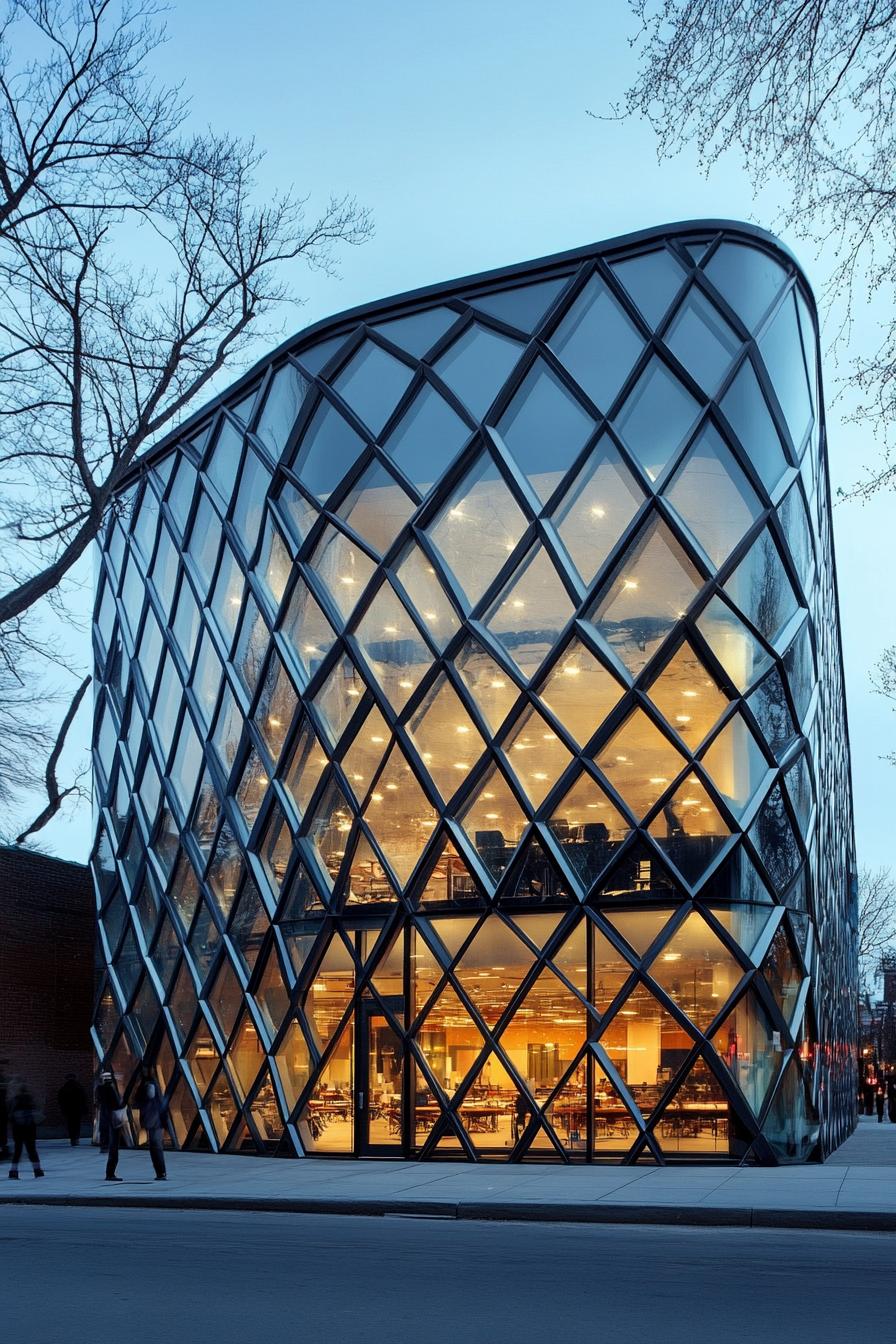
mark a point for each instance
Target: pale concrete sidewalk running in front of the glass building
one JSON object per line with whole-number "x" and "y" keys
{"x": 856, "y": 1189}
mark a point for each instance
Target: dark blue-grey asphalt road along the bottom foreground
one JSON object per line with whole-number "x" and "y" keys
{"x": 80, "y": 1275}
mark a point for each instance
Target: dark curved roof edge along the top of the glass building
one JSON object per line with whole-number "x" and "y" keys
{"x": 413, "y": 298}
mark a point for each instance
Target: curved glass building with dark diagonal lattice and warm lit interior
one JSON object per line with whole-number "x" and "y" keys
{"x": 471, "y": 749}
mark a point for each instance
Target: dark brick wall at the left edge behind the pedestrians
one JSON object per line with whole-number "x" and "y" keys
{"x": 46, "y": 975}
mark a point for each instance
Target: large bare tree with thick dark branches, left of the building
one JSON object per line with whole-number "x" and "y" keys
{"x": 135, "y": 267}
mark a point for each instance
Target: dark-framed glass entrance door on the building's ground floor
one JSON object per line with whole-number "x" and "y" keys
{"x": 381, "y": 1066}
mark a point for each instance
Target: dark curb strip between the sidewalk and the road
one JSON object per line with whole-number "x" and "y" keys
{"x": 691, "y": 1216}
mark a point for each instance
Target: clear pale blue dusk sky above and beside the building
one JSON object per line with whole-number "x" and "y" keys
{"x": 465, "y": 128}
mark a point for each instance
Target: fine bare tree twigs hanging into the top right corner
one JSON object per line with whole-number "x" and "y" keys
{"x": 805, "y": 89}
